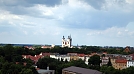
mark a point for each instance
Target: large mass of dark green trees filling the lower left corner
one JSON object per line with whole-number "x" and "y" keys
{"x": 11, "y": 61}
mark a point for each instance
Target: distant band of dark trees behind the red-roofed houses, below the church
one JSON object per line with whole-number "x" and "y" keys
{"x": 83, "y": 49}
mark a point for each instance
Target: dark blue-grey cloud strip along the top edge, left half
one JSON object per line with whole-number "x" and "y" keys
{"x": 28, "y": 3}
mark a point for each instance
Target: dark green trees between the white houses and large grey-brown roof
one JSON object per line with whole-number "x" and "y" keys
{"x": 59, "y": 65}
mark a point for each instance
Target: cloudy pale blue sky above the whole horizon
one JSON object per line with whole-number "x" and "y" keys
{"x": 89, "y": 22}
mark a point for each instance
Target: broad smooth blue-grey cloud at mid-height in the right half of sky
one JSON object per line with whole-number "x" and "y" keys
{"x": 98, "y": 20}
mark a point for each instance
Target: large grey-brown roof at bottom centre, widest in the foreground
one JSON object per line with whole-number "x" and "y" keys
{"x": 81, "y": 70}
